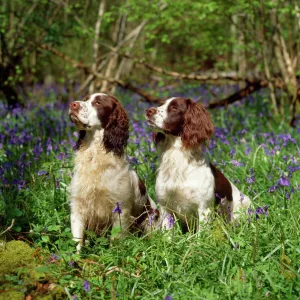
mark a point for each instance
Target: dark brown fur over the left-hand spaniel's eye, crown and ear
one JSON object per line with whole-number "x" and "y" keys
{"x": 115, "y": 123}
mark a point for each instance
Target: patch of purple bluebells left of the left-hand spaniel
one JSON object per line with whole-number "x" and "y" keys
{"x": 32, "y": 136}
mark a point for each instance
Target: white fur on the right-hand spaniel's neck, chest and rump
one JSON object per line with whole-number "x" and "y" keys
{"x": 185, "y": 184}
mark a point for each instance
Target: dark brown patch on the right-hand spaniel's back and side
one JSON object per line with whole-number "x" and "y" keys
{"x": 222, "y": 185}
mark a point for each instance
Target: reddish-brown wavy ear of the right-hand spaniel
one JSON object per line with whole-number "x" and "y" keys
{"x": 197, "y": 127}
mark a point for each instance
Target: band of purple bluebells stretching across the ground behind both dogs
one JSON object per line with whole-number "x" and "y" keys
{"x": 34, "y": 136}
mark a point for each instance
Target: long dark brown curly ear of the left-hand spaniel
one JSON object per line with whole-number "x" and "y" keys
{"x": 116, "y": 132}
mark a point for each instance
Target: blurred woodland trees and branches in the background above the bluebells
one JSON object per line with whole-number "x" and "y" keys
{"x": 97, "y": 45}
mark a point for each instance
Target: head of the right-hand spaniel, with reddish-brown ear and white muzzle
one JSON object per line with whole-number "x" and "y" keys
{"x": 182, "y": 117}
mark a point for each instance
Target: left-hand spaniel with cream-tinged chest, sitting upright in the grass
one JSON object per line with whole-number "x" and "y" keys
{"x": 104, "y": 190}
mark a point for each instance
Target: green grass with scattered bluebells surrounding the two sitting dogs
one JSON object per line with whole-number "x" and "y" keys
{"x": 250, "y": 259}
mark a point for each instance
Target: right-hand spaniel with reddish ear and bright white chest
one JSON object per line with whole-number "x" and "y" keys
{"x": 187, "y": 184}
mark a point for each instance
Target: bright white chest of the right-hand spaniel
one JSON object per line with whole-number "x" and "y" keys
{"x": 184, "y": 186}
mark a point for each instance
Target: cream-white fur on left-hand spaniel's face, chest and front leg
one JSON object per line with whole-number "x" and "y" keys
{"x": 101, "y": 180}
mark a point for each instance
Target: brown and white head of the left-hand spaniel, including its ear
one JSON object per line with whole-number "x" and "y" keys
{"x": 101, "y": 111}
